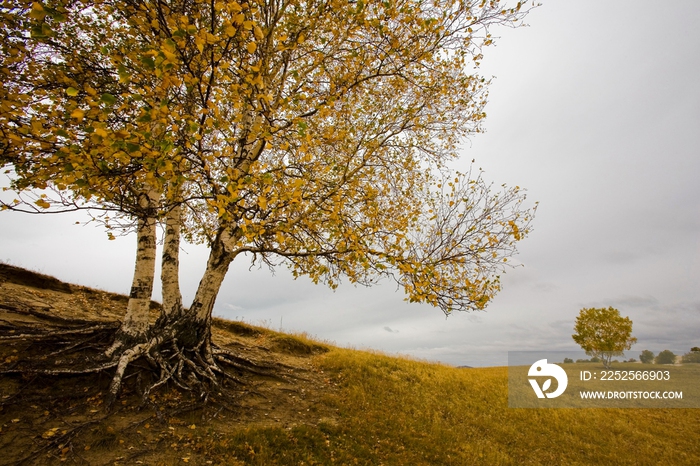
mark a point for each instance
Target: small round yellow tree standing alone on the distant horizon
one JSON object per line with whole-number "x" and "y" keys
{"x": 603, "y": 333}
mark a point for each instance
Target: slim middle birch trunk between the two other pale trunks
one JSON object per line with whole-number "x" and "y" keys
{"x": 170, "y": 266}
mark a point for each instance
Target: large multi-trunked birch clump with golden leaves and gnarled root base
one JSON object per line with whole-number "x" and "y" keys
{"x": 318, "y": 136}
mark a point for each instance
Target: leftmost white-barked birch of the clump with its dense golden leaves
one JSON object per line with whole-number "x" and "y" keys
{"x": 69, "y": 126}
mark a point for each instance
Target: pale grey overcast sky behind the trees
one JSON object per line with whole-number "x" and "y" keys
{"x": 595, "y": 110}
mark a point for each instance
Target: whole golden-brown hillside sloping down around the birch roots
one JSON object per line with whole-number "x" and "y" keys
{"x": 322, "y": 405}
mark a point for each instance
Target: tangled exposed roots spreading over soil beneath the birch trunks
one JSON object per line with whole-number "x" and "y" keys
{"x": 73, "y": 349}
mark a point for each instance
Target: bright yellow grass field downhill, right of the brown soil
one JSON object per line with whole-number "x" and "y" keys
{"x": 398, "y": 411}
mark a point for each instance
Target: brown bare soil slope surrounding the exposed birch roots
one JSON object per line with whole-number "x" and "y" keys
{"x": 60, "y": 419}
